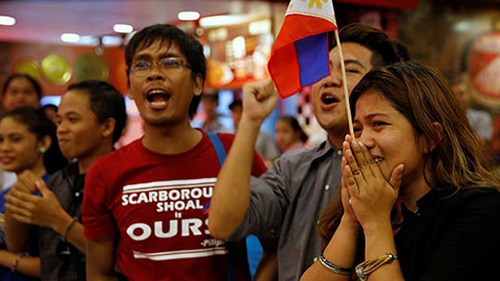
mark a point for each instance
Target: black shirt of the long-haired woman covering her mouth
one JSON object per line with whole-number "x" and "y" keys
{"x": 451, "y": 238}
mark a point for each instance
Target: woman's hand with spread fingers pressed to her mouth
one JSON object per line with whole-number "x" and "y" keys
{"x": 372, "y": 197}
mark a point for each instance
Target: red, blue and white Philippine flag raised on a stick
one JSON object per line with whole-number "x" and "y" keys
{"x": 300, "y": 52}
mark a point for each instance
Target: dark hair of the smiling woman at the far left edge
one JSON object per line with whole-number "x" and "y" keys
{"x": 37, "y": 123}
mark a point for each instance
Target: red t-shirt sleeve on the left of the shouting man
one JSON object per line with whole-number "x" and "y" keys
{"x": 97, "y": 220}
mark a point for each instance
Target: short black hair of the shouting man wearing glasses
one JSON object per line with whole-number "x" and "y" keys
{"x": 187, "y": 44}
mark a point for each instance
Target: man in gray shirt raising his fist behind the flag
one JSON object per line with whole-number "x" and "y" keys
{"x": 285, "y": 203}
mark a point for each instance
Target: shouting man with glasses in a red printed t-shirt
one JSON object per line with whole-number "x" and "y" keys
{"x": 146, "y": 204}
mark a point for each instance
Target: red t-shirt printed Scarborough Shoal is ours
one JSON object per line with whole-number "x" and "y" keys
{"x": 156, "y": 205}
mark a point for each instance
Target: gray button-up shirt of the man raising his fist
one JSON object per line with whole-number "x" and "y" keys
{"x": 286, "y": 203}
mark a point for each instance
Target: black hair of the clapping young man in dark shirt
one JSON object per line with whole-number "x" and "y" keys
{"x": 106, "y": 102}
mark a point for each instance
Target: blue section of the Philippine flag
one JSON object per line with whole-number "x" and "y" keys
{"x": 312, "y": 56}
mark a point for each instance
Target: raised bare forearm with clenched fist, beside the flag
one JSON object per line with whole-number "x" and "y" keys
{"x": 232, "y": 191}
